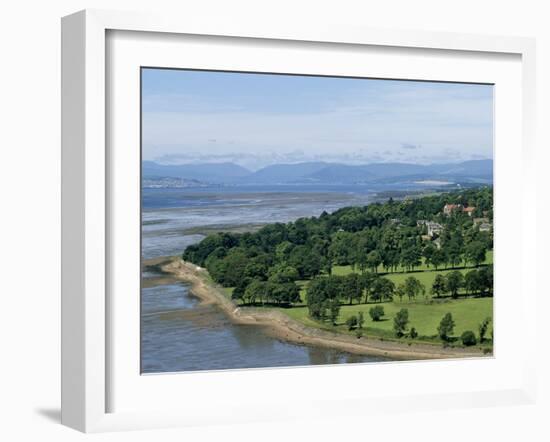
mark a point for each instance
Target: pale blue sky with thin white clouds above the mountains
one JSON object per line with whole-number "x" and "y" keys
{"x": 256, "y": 120}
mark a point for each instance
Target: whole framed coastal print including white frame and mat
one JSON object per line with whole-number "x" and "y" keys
{"x": 252, "y": 216}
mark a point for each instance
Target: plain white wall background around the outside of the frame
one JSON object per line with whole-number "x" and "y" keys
{"x": 30, "y": 214}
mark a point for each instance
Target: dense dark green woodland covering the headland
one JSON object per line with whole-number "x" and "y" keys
{"x": 377, "y": 239}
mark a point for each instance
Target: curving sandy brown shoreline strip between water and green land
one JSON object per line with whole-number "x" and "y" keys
{"x": 285, "y": 328}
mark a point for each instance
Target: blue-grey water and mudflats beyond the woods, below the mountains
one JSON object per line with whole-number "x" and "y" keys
{"x": 169, "y": 216}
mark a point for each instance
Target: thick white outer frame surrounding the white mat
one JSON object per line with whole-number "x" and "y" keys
{"x": 86, "y": 210}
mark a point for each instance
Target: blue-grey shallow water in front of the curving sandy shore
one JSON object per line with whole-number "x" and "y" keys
{"x": 180, "y": 335}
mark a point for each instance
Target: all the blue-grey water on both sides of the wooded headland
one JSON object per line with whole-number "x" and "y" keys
{"x": 179, "y": 334}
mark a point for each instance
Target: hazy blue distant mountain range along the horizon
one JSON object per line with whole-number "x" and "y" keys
{"x": 473, "y": 171}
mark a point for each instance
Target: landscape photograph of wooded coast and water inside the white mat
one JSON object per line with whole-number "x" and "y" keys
{"x": 300, "y": 220}
